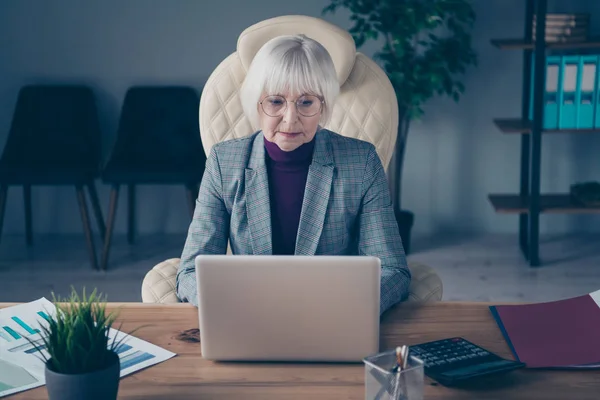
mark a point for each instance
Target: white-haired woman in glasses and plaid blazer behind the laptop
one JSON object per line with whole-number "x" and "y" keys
{"x": 294, "y": 187}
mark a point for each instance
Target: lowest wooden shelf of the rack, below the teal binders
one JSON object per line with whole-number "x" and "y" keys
{"x": 549, "y": 203}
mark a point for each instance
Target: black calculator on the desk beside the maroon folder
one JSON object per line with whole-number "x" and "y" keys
{"x": 456, "y": 360}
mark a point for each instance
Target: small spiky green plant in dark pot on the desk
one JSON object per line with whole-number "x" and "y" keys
{"x": 82, "y": 361}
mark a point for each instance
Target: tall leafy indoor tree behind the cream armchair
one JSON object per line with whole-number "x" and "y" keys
{"x": 426, "y": 49}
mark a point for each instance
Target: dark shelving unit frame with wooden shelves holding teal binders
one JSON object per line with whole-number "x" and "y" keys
{"x": 529, "y": 203}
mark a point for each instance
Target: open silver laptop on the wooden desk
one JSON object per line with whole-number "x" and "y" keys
{"x": 288, "y": 308}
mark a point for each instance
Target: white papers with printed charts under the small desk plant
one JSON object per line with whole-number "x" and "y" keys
{"x": 22, "y": 364}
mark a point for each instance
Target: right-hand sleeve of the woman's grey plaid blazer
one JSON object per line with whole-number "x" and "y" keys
{"x": 379, "y": 236}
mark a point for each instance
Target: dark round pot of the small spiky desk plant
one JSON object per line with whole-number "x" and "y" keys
{"x": 98, "y": 385}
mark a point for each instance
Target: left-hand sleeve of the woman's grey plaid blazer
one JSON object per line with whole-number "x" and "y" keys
{"x": 208, "y": 232}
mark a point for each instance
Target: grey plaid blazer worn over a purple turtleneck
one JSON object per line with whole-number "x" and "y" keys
{"x": 346, "y": 210}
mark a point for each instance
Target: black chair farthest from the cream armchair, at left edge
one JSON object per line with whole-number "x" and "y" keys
{"x": 54, "y": 139}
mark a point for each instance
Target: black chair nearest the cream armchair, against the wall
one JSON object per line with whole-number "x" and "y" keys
{"x": 158, "y": 142}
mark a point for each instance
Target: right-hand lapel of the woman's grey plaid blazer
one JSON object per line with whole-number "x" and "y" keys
{"x": 316, "y": 197}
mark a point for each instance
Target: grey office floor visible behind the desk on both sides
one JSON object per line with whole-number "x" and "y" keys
{"x": 484, "y": 268}
